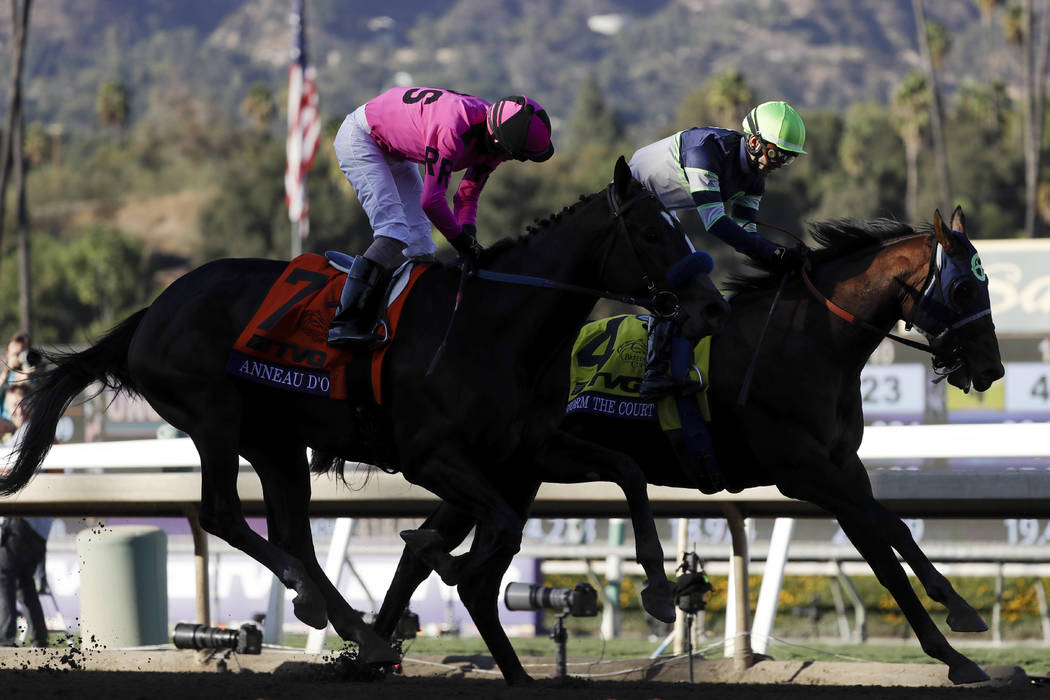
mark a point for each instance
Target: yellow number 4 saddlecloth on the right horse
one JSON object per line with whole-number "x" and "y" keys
{"x": 608, "y": 364}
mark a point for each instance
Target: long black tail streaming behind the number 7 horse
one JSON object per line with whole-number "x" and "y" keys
{"x": 55, "y": 389}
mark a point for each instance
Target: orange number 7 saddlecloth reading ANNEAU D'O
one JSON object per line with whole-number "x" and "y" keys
{"x": 285, "y": 345}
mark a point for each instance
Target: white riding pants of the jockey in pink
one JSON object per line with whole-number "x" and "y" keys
{"x": 389, "y": 188}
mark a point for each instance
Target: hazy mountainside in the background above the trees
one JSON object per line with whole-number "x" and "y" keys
{"x": 647, "y": 55}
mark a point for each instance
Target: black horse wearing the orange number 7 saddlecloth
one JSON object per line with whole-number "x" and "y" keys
{"x": 491, "y": 408}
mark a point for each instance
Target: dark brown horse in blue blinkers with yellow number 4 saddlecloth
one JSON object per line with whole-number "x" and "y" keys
{"x": 801, "y": 426}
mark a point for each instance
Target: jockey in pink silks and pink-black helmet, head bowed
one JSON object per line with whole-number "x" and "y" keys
{"x": 381, "y": 146}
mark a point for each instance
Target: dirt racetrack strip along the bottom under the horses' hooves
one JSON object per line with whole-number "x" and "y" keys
{"x": 162, "y": 674}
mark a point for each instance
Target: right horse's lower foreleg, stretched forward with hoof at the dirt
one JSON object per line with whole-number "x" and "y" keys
{"x": 890, "y": 572}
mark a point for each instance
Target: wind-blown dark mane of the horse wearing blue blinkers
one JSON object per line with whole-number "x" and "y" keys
{"x": 835, "y": 239}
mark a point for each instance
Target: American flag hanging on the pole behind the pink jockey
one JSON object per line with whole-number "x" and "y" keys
{"x": 304, "y": 125}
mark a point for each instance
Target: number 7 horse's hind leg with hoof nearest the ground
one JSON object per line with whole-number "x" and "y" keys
{"x": 285, "y": 474}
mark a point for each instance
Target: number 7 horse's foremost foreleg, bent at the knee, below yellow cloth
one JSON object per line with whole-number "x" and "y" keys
{"x": 571, "y": 460}
